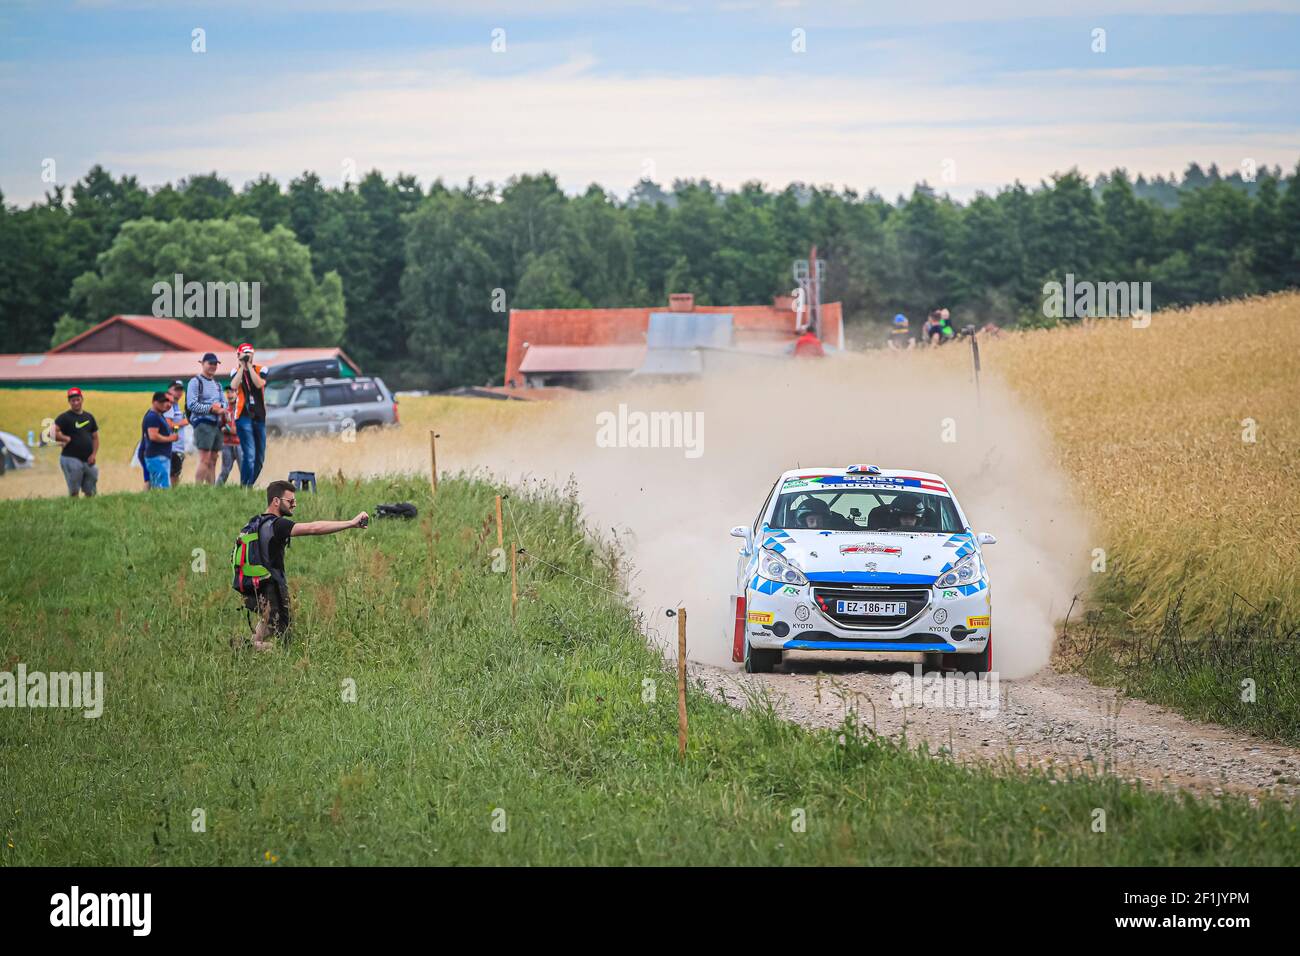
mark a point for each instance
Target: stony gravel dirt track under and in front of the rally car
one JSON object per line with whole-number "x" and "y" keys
{"x": 1050, "y": 720}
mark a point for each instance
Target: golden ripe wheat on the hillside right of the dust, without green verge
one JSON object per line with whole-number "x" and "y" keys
{"x": 1184, "y": 440}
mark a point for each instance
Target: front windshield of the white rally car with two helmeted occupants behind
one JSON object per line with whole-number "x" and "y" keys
{"x": 863, "y": 509}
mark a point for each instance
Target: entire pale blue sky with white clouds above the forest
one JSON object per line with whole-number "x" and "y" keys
{"x": 967, "y": 97}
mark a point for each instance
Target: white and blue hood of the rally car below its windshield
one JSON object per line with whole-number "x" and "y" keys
{"x": 864, "y": 556}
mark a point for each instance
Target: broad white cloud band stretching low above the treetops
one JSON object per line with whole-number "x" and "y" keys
{"x": 863, "y": 133}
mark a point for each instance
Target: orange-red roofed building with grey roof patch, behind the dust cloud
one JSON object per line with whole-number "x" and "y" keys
{"x": 591, "y": 348}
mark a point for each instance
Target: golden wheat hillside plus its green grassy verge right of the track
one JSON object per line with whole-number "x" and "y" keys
{"x": 1184, "y": 442}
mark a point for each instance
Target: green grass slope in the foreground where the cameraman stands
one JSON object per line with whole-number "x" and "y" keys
{"x": 462, "y": 720}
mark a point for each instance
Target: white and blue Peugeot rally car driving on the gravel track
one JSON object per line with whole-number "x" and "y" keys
{"x": 863, "y": 560}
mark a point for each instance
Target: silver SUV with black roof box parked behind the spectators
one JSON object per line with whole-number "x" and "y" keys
{"x": 320, "y": 406}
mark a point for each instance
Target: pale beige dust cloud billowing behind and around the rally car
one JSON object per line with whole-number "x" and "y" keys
{"x": 675, "y": 507}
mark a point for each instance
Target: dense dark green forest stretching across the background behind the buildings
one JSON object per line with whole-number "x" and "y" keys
{"x": 415, "y": 283}
